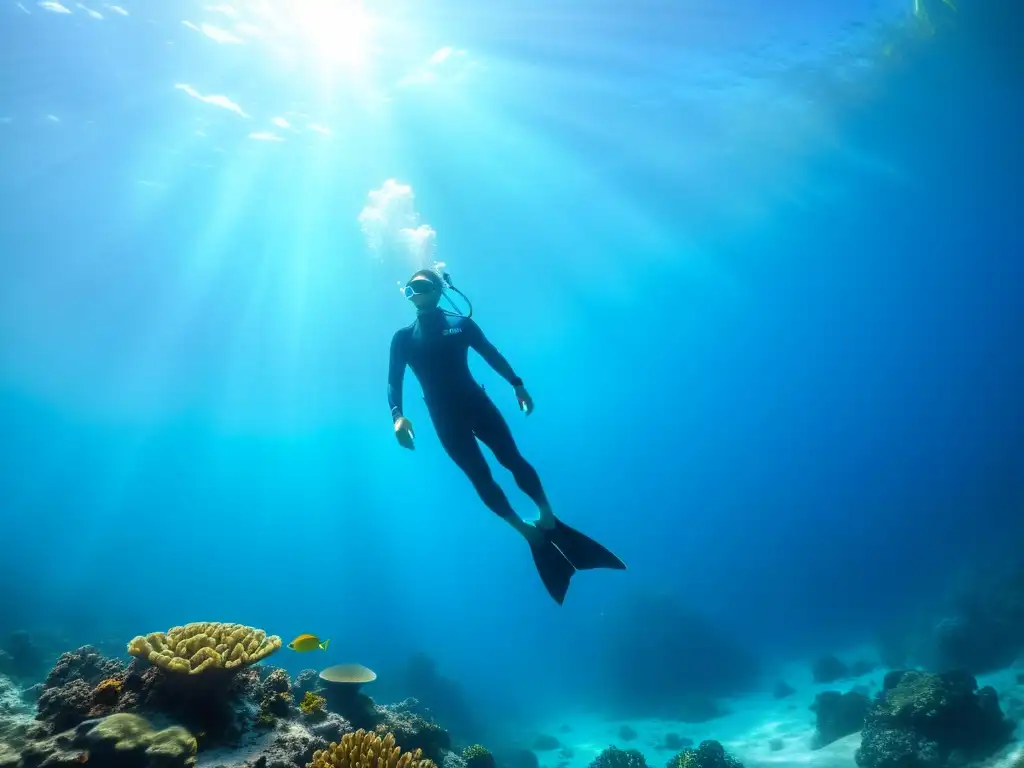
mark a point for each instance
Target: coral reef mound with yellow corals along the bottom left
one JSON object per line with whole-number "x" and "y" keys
{"x": 200, "y": 695}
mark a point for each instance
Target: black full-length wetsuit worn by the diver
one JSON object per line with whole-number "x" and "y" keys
{"x": 437, "y": 348}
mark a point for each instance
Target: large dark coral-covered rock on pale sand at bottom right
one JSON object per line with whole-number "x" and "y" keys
{"x": 923, "y": 720}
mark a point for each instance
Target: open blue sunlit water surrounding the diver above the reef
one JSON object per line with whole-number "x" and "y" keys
{"x": 759, "y": 268}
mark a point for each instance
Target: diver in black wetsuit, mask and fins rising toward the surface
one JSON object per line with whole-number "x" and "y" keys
{"x": 437, "y": 348}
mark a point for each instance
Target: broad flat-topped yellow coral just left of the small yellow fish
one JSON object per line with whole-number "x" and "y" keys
{"x": 203, "y": 646}
